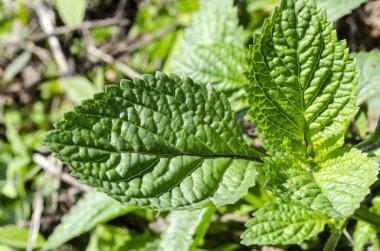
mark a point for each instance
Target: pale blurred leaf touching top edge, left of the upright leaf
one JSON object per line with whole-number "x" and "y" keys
{"x": 216, "y": 22}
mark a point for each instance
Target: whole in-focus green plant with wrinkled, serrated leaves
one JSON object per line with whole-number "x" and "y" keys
{"x": 170, "y": 143}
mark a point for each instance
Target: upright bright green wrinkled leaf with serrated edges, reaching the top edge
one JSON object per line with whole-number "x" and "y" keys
{"x": 302, "y": 82}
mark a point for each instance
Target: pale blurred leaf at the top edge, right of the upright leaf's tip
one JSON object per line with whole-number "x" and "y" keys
{"x": 339, "y": 8}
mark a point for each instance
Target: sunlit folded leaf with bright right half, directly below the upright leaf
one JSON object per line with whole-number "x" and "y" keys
{"x": 335, "y": 187}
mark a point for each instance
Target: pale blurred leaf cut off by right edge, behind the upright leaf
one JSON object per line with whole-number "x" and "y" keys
{"x": 368, "y": 87}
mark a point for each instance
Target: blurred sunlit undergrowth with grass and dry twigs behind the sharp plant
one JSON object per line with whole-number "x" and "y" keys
{"x": 53, "y": 54}
